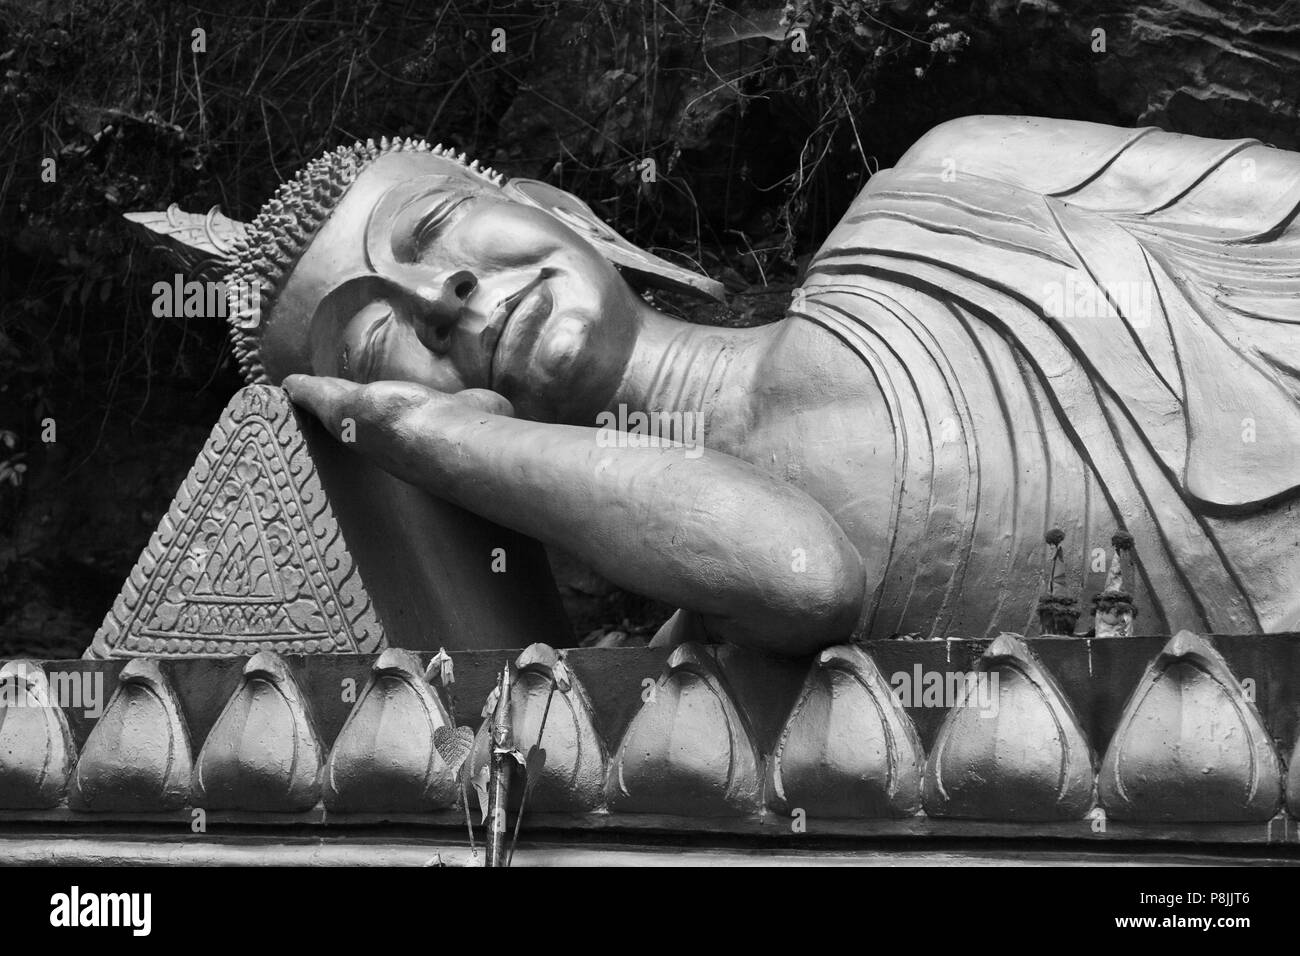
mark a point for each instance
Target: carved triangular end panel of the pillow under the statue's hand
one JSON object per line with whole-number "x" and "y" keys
{"x": 249, "y": 556}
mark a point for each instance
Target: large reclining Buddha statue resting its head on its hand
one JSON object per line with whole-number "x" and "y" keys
{"x": 1025, "y": 325}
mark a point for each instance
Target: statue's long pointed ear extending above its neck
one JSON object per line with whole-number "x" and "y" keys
{"x": 644, "y": 267}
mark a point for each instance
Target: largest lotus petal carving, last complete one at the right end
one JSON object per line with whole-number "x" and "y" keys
{"x": 1190, "y": 746}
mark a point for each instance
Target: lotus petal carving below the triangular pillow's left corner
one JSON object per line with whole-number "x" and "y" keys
{"x": 137, "y": 758}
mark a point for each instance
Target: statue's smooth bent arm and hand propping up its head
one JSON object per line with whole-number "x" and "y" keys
{"x": 757, "y": 559}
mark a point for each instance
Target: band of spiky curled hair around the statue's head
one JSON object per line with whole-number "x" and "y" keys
{"x": 287, "y": 226}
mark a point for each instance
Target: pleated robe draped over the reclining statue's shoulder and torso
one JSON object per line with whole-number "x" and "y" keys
{"x": 1082, "y": 327}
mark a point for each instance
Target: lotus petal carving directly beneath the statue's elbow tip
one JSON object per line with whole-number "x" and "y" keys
{"x": 848, "y": 749}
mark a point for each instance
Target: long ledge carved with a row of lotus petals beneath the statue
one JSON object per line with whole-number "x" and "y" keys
{"x": 1146, "y": 739}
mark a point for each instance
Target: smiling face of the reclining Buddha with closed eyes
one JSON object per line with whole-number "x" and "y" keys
{"x": 426, "y": 275}
